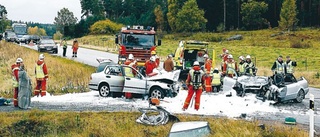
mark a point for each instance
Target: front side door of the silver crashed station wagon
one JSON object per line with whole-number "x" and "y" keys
{"x": 134, "y": 83}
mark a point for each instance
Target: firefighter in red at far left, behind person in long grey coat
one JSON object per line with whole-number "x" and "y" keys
{"x": 15, "y": 71}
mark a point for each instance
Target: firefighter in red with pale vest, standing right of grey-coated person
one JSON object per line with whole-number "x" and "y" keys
{"x": 41, "y": 72}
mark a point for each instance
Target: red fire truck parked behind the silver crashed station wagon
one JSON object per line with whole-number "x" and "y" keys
{"x": 137, "y": 41}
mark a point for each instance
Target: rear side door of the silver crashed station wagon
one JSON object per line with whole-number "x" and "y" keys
{"x": 114, "y": 77}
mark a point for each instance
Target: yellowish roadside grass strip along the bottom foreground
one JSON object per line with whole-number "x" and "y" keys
{"x": 122, "y": 124}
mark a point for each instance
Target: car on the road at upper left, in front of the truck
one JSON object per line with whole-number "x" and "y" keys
{"x": 47, "y": 45}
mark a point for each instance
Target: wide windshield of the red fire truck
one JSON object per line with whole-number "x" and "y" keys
{"x": 138, "y": 40}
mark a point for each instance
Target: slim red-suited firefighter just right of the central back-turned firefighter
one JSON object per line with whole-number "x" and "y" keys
{"x": 207, "y": 70}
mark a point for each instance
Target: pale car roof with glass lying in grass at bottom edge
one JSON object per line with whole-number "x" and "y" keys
{"x": 190, "y": 129}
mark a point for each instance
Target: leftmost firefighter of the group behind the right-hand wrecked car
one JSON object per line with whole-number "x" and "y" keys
{"x": 230, "y": 67}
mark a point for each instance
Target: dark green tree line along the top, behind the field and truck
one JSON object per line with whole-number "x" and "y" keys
{"x": 192, "y": 15}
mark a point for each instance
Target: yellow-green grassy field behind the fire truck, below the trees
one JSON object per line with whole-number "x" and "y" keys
{"x": 264, "y": 46}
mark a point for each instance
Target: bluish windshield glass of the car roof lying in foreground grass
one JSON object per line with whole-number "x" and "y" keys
{"x": 197, "y": 132}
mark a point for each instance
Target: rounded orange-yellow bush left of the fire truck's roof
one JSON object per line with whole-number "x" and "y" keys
{"x": 105, "y": 27}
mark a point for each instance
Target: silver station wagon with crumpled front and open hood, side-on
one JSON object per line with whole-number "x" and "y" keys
{"x": 118, "y": 79}
